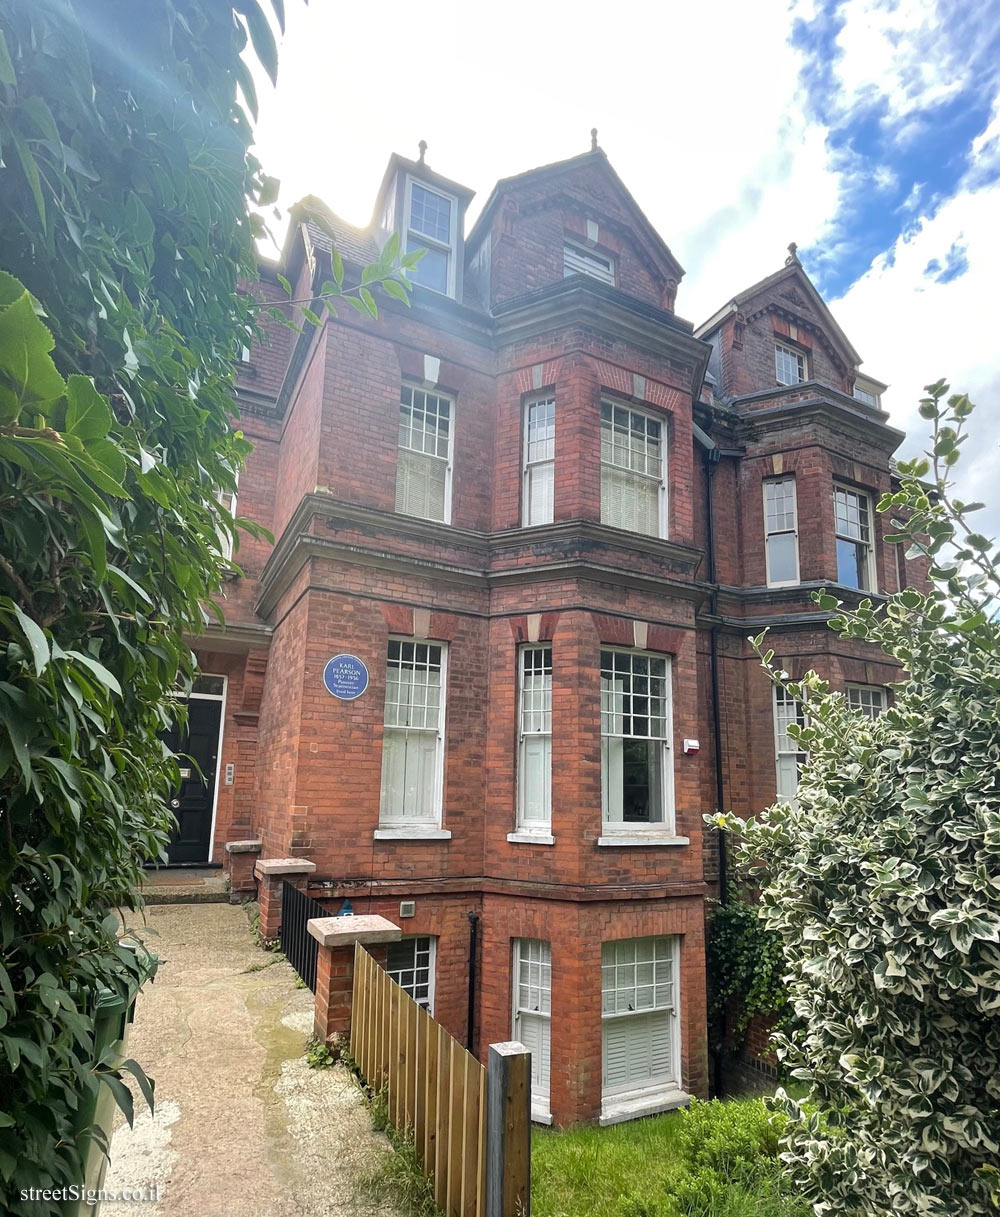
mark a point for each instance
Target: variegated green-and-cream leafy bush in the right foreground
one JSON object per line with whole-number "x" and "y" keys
{"x": 884, "y": 883}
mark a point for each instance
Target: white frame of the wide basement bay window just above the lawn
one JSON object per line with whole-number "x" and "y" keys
{"x": 616, "y": 1101}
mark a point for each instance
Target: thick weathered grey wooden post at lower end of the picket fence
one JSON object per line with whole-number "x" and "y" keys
{"x": 509, "y": 1131}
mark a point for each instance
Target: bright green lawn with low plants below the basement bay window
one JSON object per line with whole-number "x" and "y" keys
{"x": 716, "y": 1160}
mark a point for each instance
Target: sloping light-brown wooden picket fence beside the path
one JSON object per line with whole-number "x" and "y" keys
{"x": 436, "y": 1090}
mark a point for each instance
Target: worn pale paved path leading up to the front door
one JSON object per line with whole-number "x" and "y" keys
{"x": 243, "y": 1126}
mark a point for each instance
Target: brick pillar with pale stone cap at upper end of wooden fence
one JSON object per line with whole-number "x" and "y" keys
{"x": 335, "y": 968}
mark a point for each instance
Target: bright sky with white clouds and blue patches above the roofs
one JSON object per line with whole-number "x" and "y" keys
{"x": 866, "y": 131}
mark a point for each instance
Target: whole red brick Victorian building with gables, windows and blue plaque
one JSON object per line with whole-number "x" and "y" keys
{"x": 544, "y": 513}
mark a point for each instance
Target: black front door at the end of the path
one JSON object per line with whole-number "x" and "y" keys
{"x": 194, "y": 800}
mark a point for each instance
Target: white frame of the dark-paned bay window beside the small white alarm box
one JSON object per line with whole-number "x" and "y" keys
{"x": 661, "y": 828}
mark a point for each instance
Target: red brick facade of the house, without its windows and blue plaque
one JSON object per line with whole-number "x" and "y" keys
{"x": 347, "y": 573}
